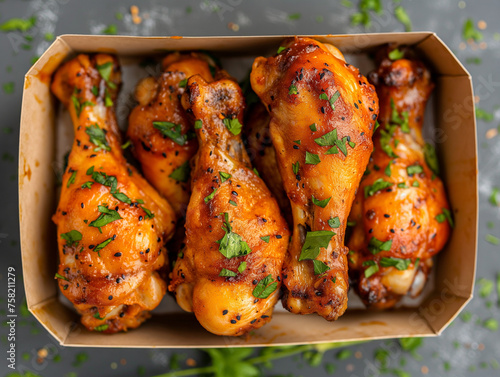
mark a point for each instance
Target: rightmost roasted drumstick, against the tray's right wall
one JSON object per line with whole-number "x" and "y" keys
{"x": 401, "y": 209}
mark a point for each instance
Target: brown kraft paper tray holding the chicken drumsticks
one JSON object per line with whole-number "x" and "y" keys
{"x": 46, "y": 134}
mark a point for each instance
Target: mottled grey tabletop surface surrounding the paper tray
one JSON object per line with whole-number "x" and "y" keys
{"x": 468, "y": 347}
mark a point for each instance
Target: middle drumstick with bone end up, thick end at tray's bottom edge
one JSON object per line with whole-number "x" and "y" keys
{"x": 236, "y": 239}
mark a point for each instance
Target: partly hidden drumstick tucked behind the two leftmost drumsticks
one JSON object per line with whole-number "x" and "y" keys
{"x": 162, "y": 136}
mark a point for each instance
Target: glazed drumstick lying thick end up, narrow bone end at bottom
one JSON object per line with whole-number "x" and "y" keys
{"x": 323, "y": 113}
